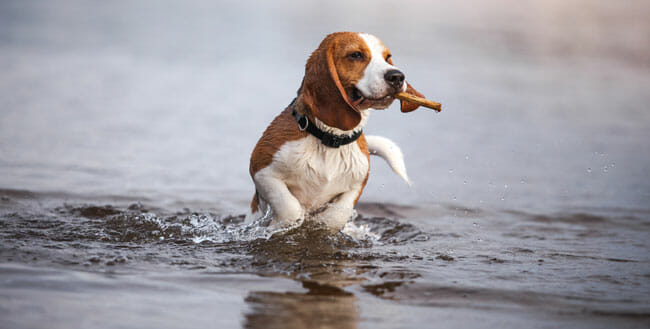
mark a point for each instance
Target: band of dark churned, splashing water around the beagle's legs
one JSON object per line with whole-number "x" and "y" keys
{"x": 137, "y": 224}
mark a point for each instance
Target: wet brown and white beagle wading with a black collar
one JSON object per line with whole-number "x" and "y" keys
{"x": 312, "y": 162}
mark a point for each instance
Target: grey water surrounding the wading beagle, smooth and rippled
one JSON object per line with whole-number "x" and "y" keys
{"x": 126, "y": 128}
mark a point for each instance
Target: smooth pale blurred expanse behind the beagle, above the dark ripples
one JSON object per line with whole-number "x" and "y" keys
{"x": 545, "y": 103}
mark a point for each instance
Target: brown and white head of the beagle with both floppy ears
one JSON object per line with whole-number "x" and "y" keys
{"x": 348, "y": 73}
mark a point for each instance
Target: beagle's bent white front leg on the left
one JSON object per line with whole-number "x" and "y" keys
{"x": 286, "y": 208}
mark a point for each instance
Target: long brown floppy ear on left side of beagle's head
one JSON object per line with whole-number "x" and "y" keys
{"x": 322, "y": 90}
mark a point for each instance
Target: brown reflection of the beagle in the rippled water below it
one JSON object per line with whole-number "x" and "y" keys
{"x": 308, "y": 254}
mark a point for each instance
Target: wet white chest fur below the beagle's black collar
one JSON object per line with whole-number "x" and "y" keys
{"x": 315, "y": 173}
